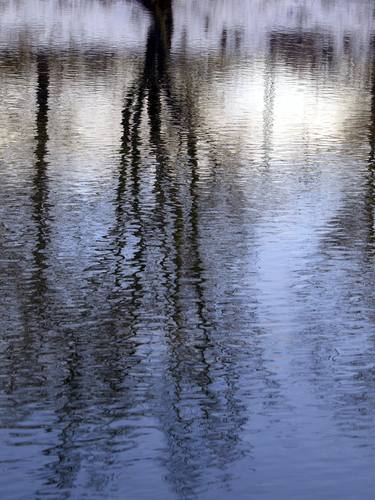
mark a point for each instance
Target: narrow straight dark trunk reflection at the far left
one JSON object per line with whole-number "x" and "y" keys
{"x": 23, "y": 351}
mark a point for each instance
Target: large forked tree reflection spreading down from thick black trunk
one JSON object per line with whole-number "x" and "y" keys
{"x": 152, "y": 280}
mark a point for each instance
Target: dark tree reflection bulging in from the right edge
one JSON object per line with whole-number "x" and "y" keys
{"x": 342, "y": 358}
